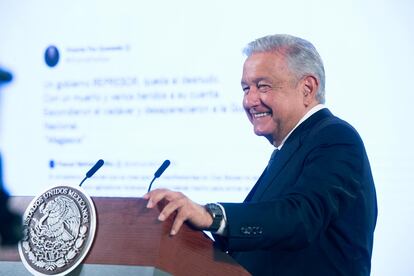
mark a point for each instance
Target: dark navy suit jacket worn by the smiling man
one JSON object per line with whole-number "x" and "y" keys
{"x": 315, "y": 212}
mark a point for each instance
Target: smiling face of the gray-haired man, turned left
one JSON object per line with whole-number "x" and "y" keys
{"x": 273, "y": 97}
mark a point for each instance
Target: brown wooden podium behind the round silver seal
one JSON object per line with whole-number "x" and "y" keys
{"x": 130, "y": 240}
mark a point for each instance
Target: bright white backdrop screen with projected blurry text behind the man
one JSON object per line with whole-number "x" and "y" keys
{"x": 138, "y": 83}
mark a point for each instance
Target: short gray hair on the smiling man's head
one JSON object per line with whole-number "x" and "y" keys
{"x": 302, "y": 57}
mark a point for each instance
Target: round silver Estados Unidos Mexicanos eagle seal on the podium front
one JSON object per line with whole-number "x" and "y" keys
{"x": 59, "y": 228}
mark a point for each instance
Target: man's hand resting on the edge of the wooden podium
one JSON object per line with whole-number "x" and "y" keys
{"x": 186, "y": 209}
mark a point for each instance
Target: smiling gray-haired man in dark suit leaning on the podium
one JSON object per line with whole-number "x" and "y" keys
{"x": 313, "y": 210}
